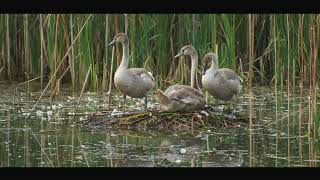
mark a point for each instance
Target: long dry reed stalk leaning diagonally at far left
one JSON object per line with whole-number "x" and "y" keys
{"x": 67, "y": 53}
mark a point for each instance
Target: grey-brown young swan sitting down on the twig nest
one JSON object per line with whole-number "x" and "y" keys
{"x": 182, "y": 97}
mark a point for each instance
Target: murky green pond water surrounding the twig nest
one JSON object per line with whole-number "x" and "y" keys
{"x": 51, "y": 137}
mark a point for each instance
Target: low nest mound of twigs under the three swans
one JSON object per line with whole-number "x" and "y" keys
{"x": 206, "y": 118}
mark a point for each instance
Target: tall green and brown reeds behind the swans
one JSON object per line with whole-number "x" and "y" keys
{"x": 154, "y": 40}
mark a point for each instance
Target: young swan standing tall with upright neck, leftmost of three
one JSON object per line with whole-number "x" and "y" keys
{"x": 133, "y": 82}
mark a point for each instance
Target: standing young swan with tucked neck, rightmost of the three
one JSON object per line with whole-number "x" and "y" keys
{"x": 223, "y": 84}
